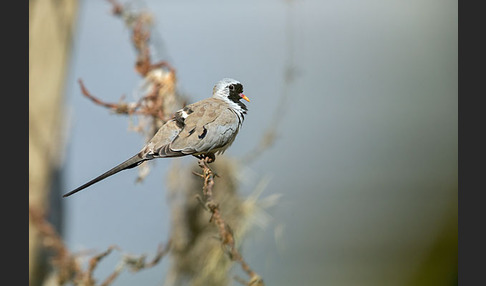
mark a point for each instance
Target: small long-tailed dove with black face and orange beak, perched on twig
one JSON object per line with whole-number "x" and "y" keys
{"x": 202, "y": 129}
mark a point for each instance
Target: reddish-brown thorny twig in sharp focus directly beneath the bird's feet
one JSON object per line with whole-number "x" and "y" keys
{"x": 225, "y": 232}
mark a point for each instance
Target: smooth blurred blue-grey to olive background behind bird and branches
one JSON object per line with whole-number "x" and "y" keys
{"x": 359, "y": 186}
